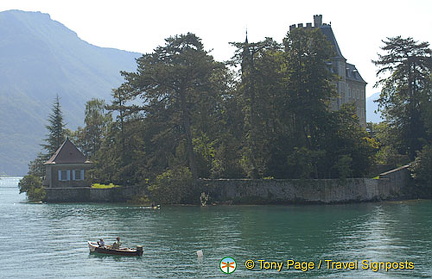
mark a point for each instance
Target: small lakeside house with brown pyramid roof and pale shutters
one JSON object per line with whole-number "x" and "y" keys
{"x": 67, "y": 168}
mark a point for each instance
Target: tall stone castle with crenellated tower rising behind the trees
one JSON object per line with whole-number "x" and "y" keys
{"x": 351, "y": 88}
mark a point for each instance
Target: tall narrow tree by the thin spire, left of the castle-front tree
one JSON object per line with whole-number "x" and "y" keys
{"x": 259, "y": 96}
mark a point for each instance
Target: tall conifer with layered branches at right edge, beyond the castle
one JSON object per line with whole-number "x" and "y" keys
{"x": 405, "y": 91}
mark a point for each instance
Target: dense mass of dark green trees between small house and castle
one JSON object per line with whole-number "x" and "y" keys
{"x": 181, "y": 110}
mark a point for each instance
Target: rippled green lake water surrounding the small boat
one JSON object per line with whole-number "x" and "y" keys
{"x": 50, "y": 240}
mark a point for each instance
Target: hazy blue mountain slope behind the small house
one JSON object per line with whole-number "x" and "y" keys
{"x": 39, "y": 59}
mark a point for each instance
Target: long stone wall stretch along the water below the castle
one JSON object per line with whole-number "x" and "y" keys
{"x": 391, "y": 185}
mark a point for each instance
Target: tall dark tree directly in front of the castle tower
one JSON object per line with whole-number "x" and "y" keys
{"x": 310, "y": 83}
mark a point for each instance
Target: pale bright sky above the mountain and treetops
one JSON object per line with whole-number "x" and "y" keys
{"x": 142, "y": 25}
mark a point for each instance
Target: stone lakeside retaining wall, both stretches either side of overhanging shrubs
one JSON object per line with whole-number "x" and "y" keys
{"x": 390, "y": 185}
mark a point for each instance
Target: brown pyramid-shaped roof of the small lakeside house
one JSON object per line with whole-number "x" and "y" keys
{"x": 67, "y": 153}
